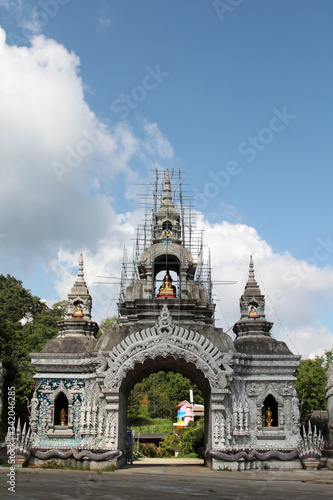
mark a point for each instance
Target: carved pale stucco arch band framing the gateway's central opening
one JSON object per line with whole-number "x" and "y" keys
{"x": 165, "y": 346}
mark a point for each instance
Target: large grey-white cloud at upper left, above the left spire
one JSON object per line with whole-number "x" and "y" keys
{"x": 57, "y": 156}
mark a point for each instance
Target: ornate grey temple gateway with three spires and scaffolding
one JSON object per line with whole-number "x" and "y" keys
{"x": 166, "y": 322}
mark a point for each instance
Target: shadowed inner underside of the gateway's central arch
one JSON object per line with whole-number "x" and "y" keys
{"x": 160, "y": 363}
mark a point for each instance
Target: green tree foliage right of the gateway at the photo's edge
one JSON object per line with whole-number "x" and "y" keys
{"x": 311, "y": 383}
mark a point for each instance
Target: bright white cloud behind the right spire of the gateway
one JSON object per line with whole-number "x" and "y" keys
{"x": 298, "y": 294}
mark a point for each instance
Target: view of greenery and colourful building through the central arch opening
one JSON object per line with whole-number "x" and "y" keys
{"x": 166, "y": 415}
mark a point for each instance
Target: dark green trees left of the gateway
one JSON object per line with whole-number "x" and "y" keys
{"x": 26, "y": 323}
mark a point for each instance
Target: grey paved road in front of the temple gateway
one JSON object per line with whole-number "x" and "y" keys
{"x": 148, "y": 481}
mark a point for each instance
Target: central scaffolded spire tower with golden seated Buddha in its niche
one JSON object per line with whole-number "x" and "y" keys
{"x": 169, "y": 261}
